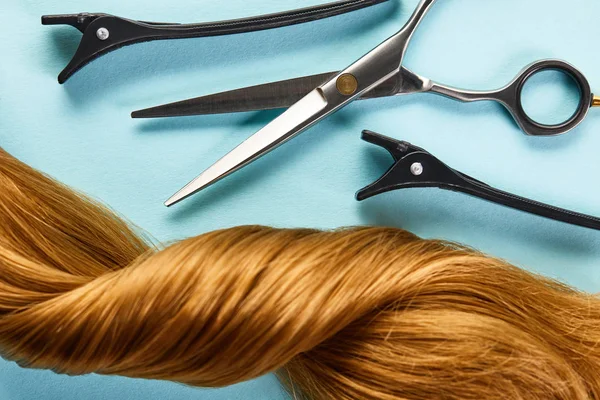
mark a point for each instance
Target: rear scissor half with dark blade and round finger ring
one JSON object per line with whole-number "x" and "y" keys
{"x": 282, "y": 94}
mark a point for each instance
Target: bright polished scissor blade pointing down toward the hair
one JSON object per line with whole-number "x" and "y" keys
{"x": 287, "y": 125}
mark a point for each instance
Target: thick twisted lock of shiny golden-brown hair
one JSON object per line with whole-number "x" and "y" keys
{"x": 363, "y": 313}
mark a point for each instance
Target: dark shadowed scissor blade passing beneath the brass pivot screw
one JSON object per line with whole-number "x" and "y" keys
{"x": 268, "y": 96}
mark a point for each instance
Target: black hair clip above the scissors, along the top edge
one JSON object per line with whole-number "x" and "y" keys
{"x": 103, "y": 33}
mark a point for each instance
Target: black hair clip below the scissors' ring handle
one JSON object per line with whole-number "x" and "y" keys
{"x": 416, "y": 167}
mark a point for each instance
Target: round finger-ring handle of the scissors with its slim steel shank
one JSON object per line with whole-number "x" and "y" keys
{"x": 511, "y": 97}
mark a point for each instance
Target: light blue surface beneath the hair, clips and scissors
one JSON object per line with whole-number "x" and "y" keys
{"x": 81, "y": 133}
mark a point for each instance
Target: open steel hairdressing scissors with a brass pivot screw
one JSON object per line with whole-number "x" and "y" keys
{"x": 379, "y": 73}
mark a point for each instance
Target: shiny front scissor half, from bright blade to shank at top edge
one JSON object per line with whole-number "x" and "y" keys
{"x": 371, "y": 70}
